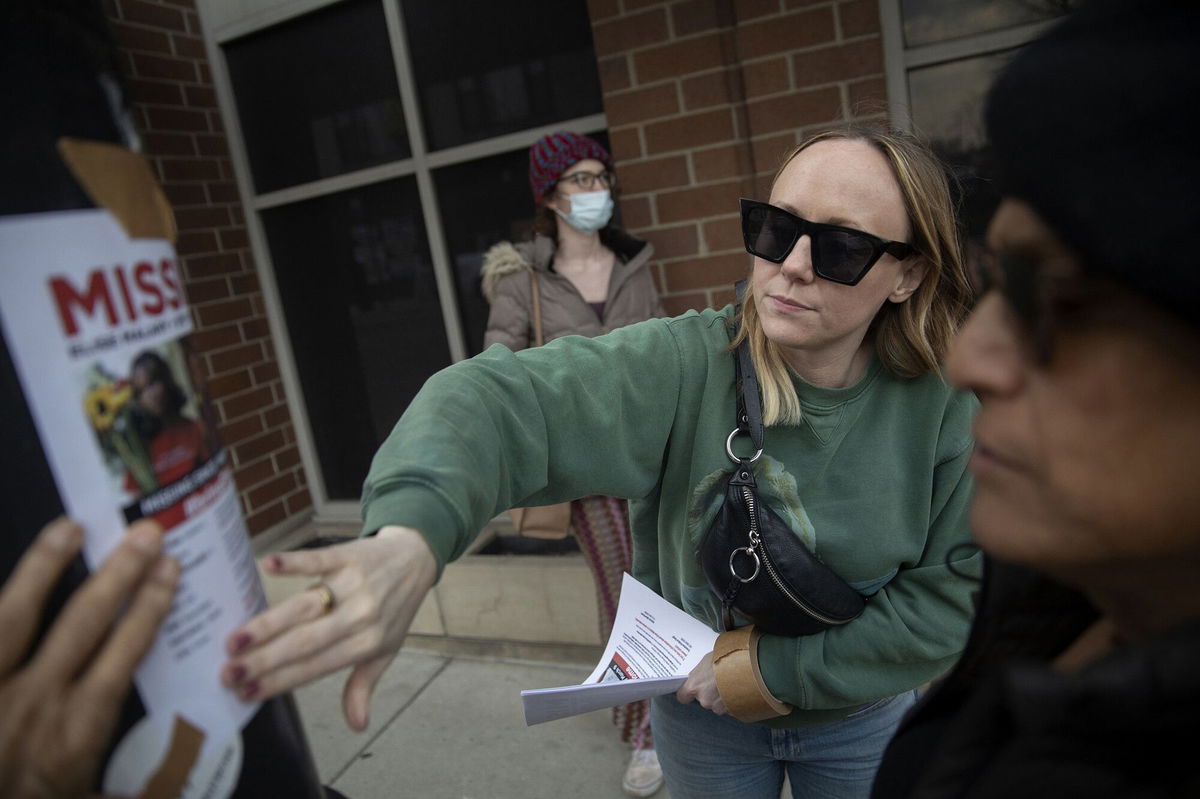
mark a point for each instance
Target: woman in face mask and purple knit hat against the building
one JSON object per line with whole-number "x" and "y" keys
{"x": 591, "y": 278}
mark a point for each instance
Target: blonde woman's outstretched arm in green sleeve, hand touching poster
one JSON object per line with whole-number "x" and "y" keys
{"x": 494, "y": 432}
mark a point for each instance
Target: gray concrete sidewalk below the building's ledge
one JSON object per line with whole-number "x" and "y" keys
{"x": 451, "y": 726}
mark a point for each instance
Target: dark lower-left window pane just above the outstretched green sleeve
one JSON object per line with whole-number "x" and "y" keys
{"x": 363, "y": 315}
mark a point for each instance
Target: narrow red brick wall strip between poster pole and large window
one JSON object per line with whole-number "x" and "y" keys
{"x": 176, "y": 111}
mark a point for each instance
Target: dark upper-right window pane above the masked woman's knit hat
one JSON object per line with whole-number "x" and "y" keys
{"x": 488, "y": 69}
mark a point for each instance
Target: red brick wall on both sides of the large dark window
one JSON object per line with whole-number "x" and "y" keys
{"x": 703, "y": 98}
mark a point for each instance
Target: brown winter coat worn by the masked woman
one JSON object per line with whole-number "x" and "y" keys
{"x": 506, "y": 273}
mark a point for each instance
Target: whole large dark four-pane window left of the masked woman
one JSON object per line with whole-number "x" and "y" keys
{"x": 376, "y": 215}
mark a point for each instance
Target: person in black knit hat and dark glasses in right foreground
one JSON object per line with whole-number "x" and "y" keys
{"x": 1083, "y": 672}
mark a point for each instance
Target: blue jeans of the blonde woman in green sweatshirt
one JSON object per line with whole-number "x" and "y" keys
{"x": 706, "y": 756}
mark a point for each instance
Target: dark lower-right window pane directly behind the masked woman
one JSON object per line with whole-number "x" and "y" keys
{"x": 482, "y": 203}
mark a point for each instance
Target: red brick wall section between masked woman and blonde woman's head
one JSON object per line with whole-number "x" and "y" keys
{"x": 704, "y": 99}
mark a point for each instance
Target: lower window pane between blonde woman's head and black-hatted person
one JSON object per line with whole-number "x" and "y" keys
{"x": 947, "y": 107}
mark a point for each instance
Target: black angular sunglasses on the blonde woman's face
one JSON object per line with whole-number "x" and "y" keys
{"x": 839, "y": 255}
